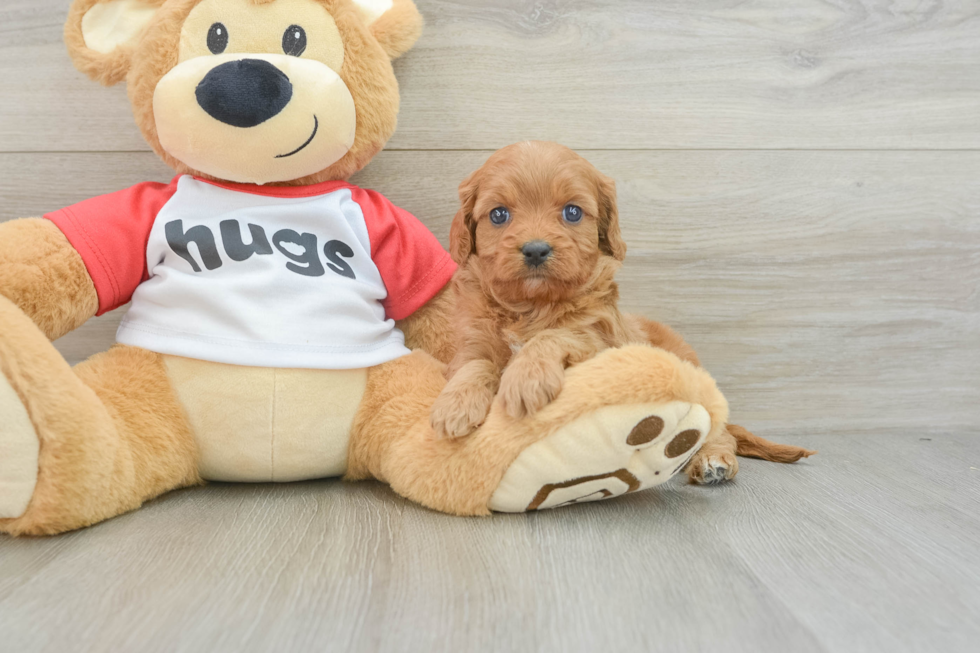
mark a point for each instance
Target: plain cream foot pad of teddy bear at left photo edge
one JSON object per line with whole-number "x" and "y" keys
{"x": 19, "y": 449}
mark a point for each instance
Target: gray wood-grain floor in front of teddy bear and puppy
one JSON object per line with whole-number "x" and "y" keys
{"x": 871, "y": 546}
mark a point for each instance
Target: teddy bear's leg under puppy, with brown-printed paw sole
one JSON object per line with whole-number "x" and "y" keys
{"x": 628, "y": 419}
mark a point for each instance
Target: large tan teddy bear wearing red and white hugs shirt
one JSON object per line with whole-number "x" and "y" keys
{"x": 284, "y": 324}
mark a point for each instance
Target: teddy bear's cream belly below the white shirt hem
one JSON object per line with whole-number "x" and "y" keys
{"x": 256, "y": 424}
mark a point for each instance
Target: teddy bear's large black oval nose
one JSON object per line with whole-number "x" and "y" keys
{"x": 244, "y": 93}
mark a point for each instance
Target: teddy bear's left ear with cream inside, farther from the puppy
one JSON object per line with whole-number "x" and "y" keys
{"x": 100, "y": 35}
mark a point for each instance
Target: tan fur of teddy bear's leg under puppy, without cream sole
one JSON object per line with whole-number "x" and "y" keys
{"x": 392, "y": 439}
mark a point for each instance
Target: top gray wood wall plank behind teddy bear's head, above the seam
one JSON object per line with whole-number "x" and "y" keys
{"x": 605, "y": 74}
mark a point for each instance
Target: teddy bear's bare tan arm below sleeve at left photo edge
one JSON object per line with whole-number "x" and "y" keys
{"x": 45, "y": 277}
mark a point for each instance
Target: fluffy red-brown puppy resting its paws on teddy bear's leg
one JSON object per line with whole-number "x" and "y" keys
{"x": 538, "y": 244}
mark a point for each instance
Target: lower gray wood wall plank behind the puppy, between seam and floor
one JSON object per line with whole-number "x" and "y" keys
{"x": 827, "y": 291}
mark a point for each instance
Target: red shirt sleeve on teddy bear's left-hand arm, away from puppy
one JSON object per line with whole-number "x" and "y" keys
{"x": 110, "y": 232}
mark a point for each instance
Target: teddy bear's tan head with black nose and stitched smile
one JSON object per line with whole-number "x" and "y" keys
{"x": 252, "y": 91}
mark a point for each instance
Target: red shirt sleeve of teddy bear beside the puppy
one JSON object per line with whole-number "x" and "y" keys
{"x": 413, "y": 265}
